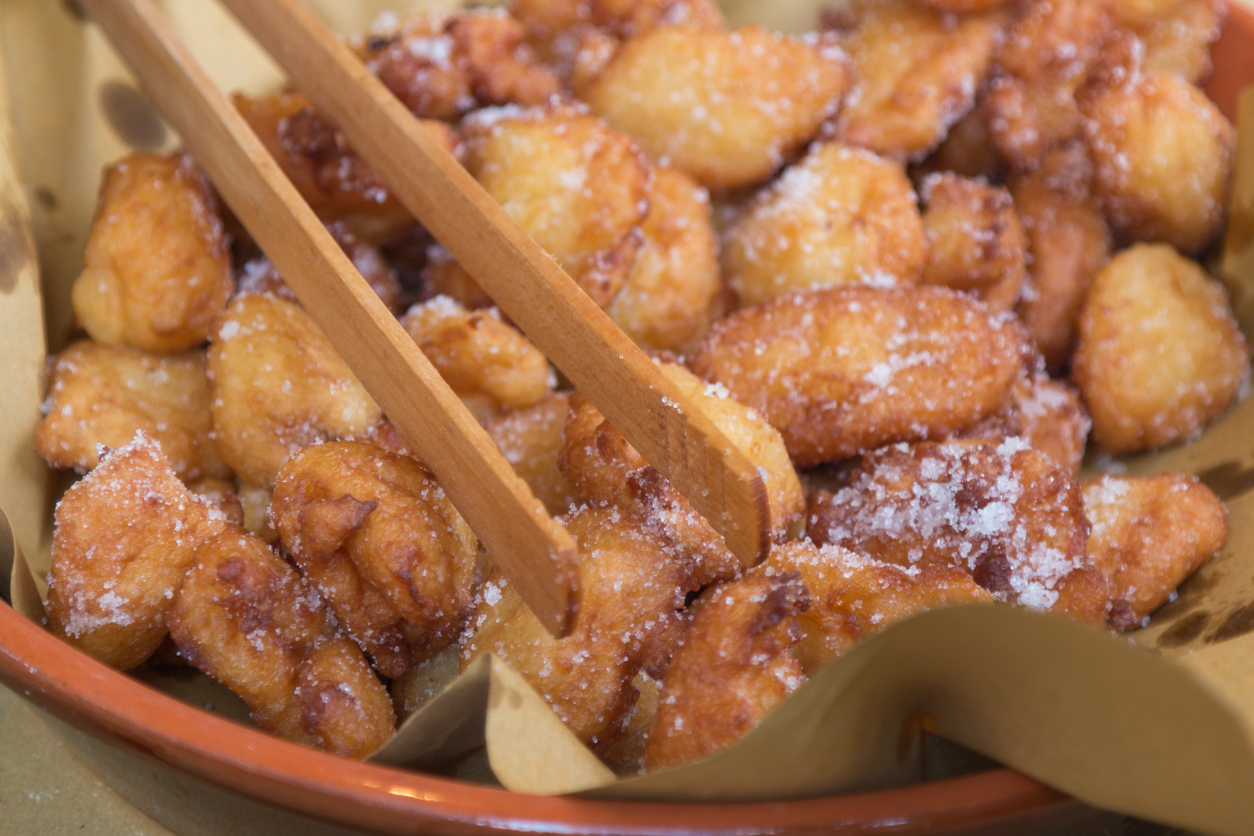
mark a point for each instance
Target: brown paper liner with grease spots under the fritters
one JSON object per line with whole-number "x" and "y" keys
{"x": 1166, "y": 735}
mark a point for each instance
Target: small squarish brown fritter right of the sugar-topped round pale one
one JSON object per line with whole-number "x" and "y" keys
{"x": 976, "y": 243}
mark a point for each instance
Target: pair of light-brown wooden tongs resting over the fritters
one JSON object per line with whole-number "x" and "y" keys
{"x": 535, "y": 552}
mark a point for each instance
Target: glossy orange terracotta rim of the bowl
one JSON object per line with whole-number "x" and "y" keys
{"x": 125, "y": 713}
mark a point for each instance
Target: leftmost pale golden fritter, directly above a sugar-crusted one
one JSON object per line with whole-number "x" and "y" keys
{"x": 103, "y": 395}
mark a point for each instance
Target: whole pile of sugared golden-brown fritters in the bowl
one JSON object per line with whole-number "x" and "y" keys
{"x": 906, "y": 264}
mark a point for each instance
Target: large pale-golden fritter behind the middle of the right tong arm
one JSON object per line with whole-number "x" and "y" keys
{"x": 576, "y": 186}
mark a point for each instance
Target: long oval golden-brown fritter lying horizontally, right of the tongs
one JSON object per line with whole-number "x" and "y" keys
{"x": 851, "y": 369}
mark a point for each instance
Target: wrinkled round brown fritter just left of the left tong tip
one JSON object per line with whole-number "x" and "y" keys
{"x": 377, "y": 536}
